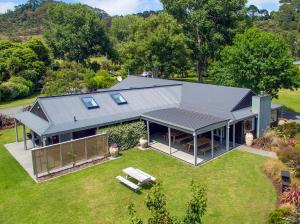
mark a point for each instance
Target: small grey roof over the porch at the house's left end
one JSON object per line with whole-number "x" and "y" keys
{"x": 32, "y": 121}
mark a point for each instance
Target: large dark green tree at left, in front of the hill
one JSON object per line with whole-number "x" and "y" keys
{"x": 75, "y": 32}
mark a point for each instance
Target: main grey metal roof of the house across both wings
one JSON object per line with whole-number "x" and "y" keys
{"x": 143, "y": 95}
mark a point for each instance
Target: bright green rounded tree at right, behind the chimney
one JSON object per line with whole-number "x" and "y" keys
{"x": 257, "y": 60}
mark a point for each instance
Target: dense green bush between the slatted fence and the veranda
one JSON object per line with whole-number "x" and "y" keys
{"x": 126, "y": 136}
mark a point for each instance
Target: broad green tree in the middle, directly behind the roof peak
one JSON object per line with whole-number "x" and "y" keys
{"x": 157, "y": 44}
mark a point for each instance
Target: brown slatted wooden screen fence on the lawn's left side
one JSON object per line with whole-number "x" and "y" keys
{"x": 69, "y": 153}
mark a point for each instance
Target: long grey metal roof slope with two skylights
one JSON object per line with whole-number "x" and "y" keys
{"x": 62, "y": 109}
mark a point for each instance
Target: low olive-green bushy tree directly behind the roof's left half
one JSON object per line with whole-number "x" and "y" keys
{"x": 69, "y": 78}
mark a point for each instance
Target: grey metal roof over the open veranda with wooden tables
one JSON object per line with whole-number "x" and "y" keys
{"x": 185, "y": 119}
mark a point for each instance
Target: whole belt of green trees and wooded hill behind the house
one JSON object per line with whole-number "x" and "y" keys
{"x": 57, "y": 48}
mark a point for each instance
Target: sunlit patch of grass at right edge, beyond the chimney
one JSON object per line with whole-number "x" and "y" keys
{"x": 291, "y": 99}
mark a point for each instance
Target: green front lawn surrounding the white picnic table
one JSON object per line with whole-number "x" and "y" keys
{"x": 238, "y": 191}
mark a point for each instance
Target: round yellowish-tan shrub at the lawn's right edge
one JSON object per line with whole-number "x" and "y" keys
{"x": 273, "y": 168}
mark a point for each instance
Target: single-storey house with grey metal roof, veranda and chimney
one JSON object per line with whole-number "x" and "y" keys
{"x": 176, "y": 114}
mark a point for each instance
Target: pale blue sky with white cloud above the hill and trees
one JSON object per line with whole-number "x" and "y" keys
{"x": 123, "y": 7}
